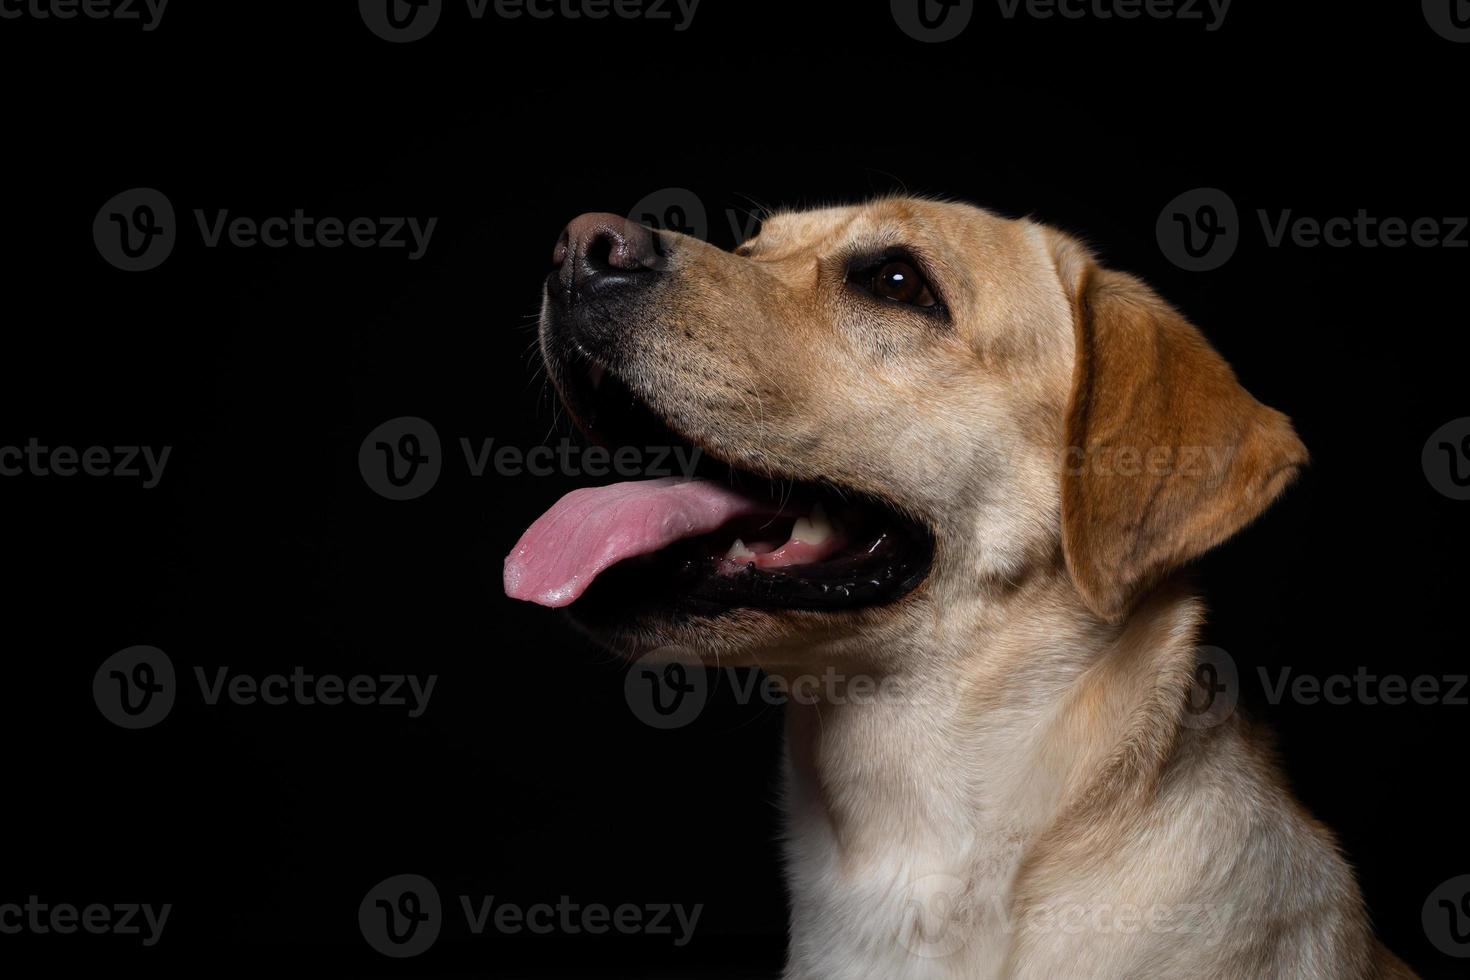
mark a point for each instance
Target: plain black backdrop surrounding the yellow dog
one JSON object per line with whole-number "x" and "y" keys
{"x": 528, "y": 778}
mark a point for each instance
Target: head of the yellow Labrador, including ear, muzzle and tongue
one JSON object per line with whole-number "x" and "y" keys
{"x": 903, "y": 406}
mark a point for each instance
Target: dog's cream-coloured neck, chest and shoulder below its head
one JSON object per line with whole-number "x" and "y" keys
{"x": 1049, "y": 813}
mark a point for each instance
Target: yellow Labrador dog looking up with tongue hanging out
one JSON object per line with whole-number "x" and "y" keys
{"x": 952, "y": 456}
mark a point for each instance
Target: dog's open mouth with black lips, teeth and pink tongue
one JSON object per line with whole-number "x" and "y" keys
{"x": 723, "y": 538}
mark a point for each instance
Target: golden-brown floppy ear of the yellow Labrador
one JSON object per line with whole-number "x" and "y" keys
{"x": 1166, "y": 453}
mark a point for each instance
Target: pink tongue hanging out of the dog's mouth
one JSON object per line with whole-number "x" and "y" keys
{"x": 595, "y": 528}
